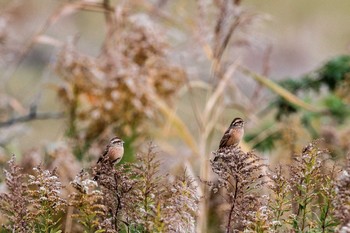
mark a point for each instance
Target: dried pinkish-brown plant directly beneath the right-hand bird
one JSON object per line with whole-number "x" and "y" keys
{"x": 240, "y": 177}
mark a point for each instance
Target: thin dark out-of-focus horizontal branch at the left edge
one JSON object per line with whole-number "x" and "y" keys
{"x": 31, "y": 116}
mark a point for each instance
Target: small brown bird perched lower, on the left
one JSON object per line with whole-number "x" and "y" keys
{"x": 114, "y": 151}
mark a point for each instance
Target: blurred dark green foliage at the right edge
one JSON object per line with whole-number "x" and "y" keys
{"x": 327, "y": 87}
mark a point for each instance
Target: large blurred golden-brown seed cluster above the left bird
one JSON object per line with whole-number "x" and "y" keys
{"x": 117, "y": 88}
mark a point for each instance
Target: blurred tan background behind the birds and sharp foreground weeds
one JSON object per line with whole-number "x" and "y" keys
{"x": 75, "y": 73}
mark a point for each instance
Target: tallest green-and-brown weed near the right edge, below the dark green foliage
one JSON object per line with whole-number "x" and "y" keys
{"x": 308, "y": 181}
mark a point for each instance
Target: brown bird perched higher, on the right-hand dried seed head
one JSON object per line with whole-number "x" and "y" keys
{"x": 233, "y": 134}
